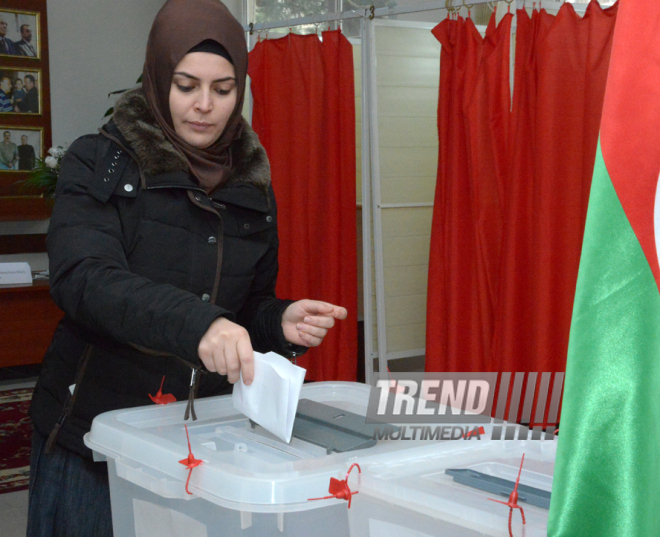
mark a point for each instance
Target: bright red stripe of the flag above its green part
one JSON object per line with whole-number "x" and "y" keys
{"x": 630, "y": 138}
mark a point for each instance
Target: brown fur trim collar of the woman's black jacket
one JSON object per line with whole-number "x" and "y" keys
{"x": 157, "y": 155}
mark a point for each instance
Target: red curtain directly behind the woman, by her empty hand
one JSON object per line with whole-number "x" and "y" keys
{"x": 304, "y": 114}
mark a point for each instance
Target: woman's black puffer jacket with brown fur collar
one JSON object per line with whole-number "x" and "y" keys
{"x": 142, "y": 261}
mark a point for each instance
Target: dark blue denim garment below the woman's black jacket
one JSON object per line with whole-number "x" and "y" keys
{"x": 69, "y": 495}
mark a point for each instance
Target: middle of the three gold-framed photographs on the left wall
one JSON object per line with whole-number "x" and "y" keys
{"x": 20, "y": 91}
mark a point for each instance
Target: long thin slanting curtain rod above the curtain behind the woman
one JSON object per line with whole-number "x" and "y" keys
{"x": 355, "y": 14}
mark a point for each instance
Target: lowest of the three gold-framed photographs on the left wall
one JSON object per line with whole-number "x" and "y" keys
{"x": 19, "y": 148}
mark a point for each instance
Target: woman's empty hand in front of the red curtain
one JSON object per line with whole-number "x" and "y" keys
{"x": 307, "y": 322}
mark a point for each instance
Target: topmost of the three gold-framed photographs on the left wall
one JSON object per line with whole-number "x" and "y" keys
{"x": 19, "y": 33}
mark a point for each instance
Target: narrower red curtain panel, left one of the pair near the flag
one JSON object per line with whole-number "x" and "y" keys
{"x": 473, "y": 124}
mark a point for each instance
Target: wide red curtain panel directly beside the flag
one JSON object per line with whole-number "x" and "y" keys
{"x": 561, "y": 68}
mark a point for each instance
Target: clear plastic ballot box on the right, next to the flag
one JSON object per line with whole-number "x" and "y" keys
{"x": 427, "y": 492}
